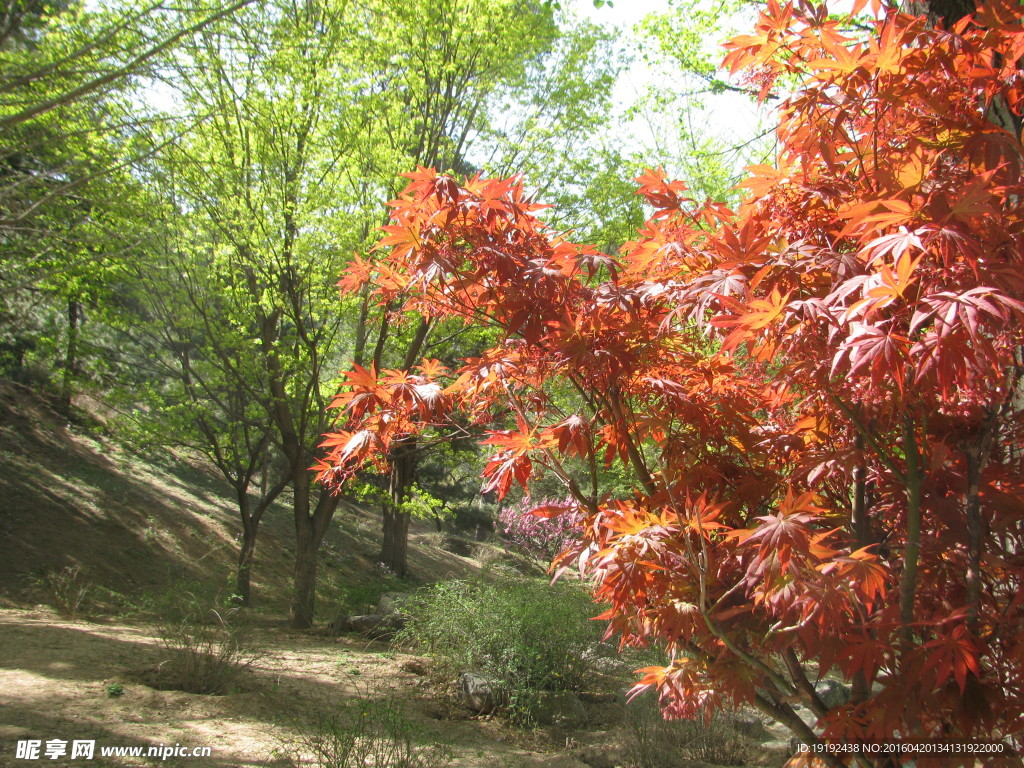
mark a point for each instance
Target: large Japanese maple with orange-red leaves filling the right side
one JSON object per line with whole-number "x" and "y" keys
{"x": 817, "y": 395}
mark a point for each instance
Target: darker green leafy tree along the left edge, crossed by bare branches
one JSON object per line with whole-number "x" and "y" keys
{"x": 68, "y": 123}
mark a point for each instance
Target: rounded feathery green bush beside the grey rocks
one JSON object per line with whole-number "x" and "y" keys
{"x": 526, "y": 634}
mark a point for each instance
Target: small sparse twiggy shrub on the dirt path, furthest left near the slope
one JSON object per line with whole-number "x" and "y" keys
{"x": 207, "y": 648}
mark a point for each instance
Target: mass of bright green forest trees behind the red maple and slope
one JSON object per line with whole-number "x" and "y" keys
{"x": 184, "y": 188}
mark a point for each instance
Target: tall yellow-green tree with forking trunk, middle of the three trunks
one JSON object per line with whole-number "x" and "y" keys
{"x": 262, "y": 185}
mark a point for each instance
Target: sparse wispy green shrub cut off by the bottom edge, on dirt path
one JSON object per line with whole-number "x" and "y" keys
{"x": 370, "y": 733}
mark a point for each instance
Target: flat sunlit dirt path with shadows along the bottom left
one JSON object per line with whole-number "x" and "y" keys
{"x": 55, "y": 676}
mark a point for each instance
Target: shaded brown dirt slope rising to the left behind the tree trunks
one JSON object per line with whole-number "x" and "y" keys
{"x": 135, "y": 525}
